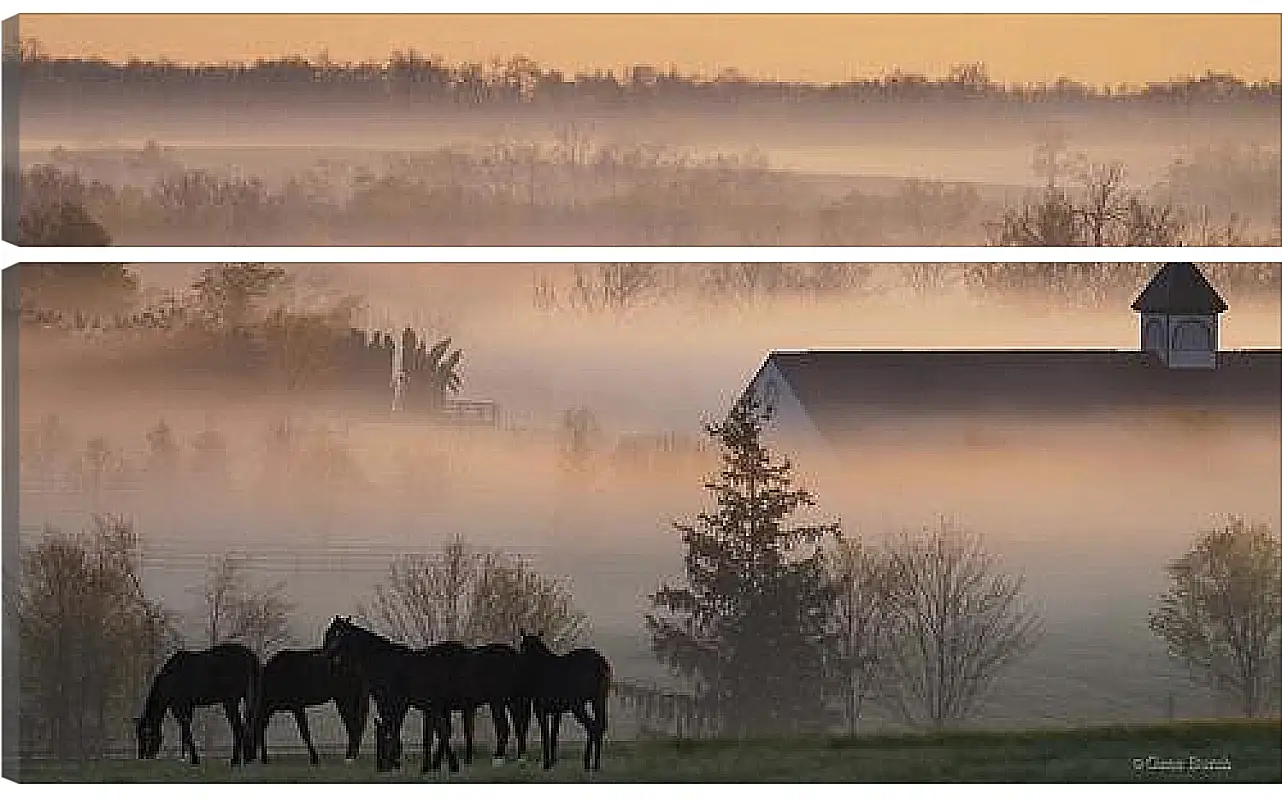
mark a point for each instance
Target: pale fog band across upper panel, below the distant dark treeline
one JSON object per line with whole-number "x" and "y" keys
{"x": 316, "y": 174}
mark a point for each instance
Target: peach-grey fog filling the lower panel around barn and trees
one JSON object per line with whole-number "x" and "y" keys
{"x": 1089, "y": 510}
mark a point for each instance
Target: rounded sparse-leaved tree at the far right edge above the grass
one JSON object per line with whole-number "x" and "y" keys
{"x": 1222, "y": 613}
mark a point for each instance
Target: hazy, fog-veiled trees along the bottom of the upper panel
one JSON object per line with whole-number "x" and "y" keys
{"x": 640, "y": 194}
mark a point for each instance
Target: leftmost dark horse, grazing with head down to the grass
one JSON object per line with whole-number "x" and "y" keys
{"x": 226, "y": 674}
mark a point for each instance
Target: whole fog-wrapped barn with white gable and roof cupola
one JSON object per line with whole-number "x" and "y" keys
{"x": 822, "y": 397}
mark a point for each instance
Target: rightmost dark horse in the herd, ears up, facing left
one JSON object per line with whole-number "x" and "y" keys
{"x": 560, "y": 684}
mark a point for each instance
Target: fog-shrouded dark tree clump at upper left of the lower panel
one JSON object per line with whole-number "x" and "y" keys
{"x": 239, "y": 320}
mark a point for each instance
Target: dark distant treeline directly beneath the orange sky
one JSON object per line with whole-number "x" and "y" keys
{"x": 519, "y": 80}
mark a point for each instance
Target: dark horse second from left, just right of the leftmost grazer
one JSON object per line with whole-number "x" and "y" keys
{"x": 293, "y": 680}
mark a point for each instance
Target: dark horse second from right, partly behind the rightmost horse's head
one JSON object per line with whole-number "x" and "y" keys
{"x": 493, "y": 676}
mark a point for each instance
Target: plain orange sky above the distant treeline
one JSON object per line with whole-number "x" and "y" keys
{"x": 1093, "y": 48}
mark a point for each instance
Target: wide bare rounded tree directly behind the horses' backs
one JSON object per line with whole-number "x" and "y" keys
{"x": 476, "y": 598}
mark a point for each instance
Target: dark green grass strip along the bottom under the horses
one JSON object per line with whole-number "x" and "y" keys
{"x": 1248, "y": 752}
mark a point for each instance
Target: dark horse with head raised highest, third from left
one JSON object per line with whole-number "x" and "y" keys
{"x": 402, "y": 679}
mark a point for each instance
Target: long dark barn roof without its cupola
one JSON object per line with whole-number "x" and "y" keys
{"x": 839, "y": 389}
